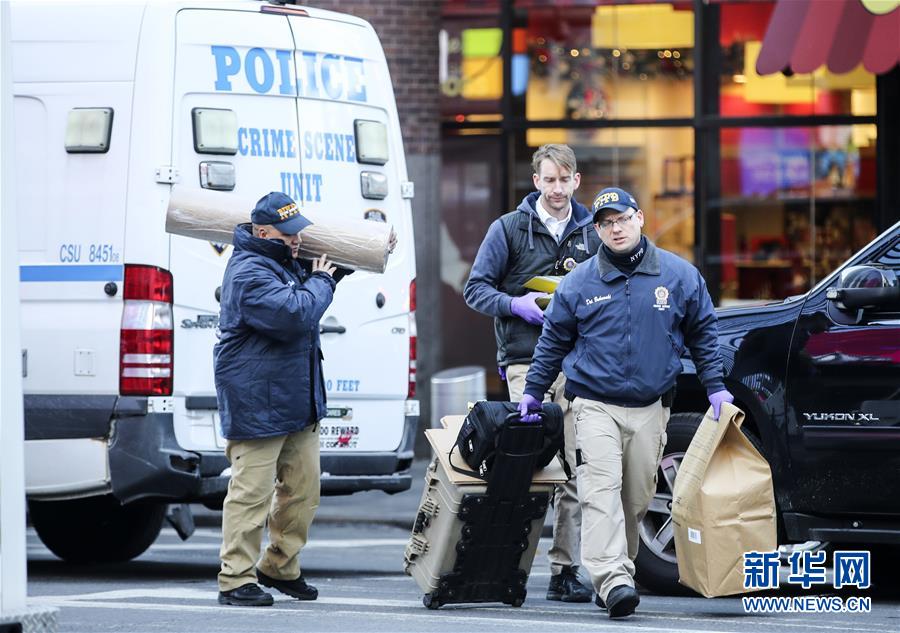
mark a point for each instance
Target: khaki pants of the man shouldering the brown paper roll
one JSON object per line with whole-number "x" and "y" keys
{"x": 274, "y": 478}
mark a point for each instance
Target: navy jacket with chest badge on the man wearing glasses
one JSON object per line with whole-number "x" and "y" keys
{"x": 619, "y": 339}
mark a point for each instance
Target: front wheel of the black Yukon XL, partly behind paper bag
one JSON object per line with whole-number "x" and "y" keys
{"x": 656, "y": 567}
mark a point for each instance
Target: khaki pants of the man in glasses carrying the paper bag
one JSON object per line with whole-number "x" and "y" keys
{"x": 620, "y": 450}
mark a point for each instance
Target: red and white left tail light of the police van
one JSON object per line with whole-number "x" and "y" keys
{"x": 146, "y": 350}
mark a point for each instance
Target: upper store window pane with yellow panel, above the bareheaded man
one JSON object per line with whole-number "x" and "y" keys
{"x": 577, "y": 62}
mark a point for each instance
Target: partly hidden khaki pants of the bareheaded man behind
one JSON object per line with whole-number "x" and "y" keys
{"x": 567, "y": 512}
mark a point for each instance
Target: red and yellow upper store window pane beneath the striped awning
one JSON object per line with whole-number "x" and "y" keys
{"x": 745, "y": 93}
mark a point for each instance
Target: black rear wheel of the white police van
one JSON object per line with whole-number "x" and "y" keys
{"x": 96, "y": 529}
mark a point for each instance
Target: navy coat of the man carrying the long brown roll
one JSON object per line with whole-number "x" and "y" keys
{"x": 268, "y": 364}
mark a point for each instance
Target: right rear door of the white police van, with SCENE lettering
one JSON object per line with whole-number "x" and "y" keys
{"x": 342, "y": 78}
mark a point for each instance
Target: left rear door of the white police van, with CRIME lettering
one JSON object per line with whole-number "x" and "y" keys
{"x": 226, "y": 60}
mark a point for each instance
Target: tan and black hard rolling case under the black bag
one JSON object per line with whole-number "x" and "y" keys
{"x": 475, "y": 540}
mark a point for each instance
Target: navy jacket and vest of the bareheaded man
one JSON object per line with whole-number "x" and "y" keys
{"x": 516, "y": 248}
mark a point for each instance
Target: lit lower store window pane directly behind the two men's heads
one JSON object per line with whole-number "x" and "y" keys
{"x": 654, "y": 164}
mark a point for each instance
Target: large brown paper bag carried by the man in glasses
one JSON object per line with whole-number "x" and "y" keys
{"x": 723, "y": 506}
